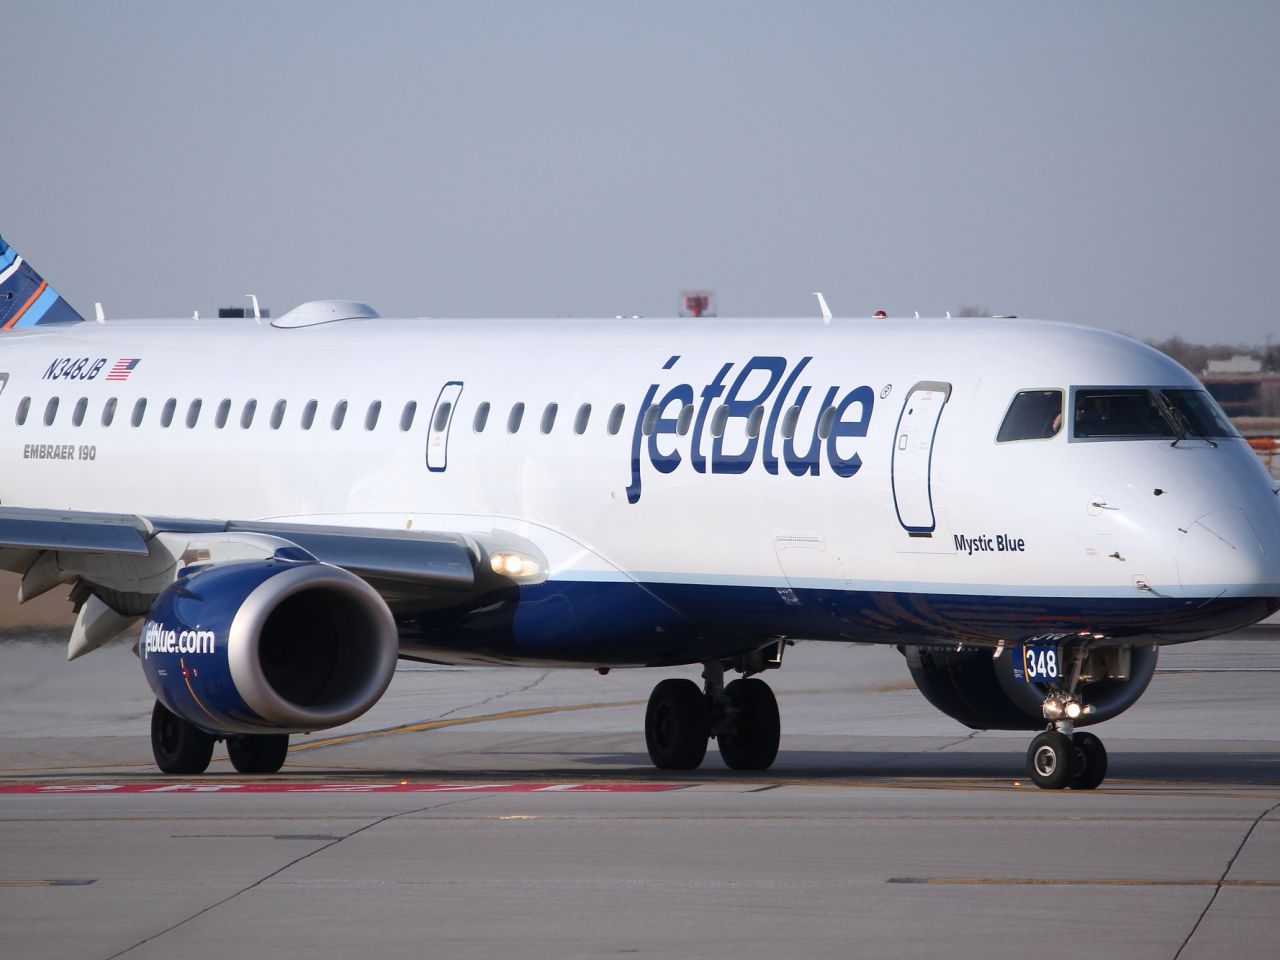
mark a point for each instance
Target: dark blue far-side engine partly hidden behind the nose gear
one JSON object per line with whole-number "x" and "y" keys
{"x": 985, "y": 693}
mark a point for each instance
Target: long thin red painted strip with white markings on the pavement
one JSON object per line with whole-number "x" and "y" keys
{"x": 339, "y": 788}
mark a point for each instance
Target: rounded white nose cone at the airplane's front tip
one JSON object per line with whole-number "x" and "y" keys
{"x": 1222, "y": 555}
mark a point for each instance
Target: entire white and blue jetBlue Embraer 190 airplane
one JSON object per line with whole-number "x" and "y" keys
{"x": 281, "y": 509}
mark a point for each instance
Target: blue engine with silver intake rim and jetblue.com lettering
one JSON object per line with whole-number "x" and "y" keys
{"x": 272, "y": 646}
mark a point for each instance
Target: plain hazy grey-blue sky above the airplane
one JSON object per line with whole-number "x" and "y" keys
{"x": 1104, "y": 163}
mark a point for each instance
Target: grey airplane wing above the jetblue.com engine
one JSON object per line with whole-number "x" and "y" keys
{"x": 120, "y": 564}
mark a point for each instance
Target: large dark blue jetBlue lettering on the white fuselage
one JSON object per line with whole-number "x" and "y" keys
{"x": 674, "y": 431}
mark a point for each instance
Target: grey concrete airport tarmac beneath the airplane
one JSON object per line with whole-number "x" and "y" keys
{"x": 514, "y": 813}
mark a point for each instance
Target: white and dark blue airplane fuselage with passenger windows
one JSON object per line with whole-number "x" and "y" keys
{"x": 698, "y": 487}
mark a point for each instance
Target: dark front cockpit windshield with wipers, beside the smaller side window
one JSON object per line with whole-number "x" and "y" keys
{"x": 1135, "y": 413}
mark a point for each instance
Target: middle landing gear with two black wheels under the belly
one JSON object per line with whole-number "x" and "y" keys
{"x": 742, "y": 717}
